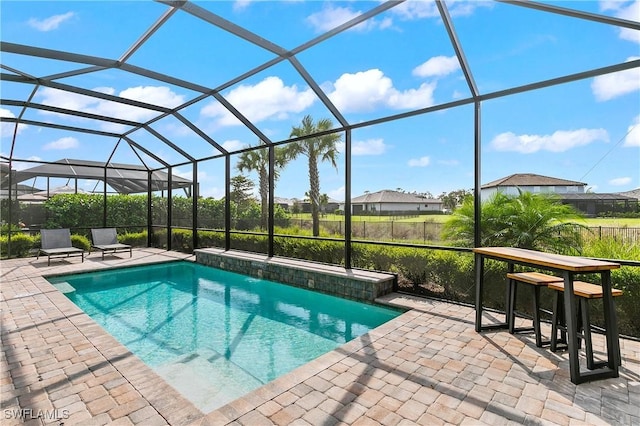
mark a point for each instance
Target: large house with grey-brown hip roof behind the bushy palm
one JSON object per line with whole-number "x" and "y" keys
{"x": 570, "y": 192}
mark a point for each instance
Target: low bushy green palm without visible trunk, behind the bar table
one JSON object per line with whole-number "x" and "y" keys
{"x": 533, "y": 221}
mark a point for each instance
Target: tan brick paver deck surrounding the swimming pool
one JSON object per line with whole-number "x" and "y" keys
{"x": 428, "y": 366}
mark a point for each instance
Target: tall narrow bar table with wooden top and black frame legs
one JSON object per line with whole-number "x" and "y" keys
{"x": 568, "y": 266}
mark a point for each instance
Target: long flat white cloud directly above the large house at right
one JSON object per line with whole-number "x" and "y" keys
{"x": 559, "y": 141}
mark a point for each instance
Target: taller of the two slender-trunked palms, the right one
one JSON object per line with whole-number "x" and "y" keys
{"x": 315, "y": 148}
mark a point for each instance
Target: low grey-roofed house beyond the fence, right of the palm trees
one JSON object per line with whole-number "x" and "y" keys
{"x": 388, "y": 202}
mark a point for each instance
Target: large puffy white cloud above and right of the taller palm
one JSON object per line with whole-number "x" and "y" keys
{"x": 371, "y": 89}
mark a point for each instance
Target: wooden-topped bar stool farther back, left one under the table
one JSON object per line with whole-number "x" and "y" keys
{"x": 537, "y": 280}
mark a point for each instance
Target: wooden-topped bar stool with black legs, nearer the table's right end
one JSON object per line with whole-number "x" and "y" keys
{"x": 584, "y": 292}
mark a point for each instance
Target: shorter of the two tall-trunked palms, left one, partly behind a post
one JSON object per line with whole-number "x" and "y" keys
{"x": 258, "y": 160}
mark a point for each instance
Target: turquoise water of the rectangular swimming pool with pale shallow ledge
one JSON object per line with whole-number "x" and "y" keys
{"x": 216, "y": 335}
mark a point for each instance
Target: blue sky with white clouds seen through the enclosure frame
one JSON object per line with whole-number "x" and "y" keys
{"x": 399, "y": 61}
